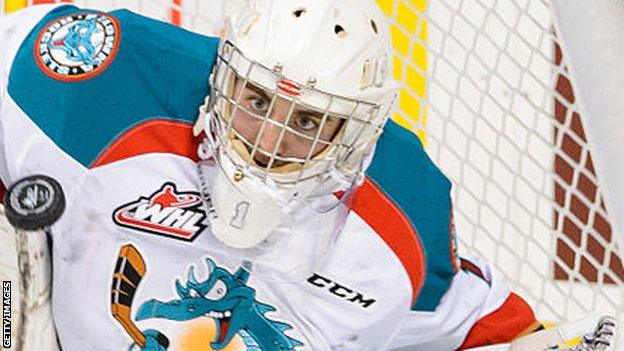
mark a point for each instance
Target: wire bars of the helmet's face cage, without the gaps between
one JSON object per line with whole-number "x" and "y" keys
{"x": 361, "y": 122}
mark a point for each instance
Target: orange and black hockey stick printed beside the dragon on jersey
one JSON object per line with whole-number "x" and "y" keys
{"x": 129, "y": 272}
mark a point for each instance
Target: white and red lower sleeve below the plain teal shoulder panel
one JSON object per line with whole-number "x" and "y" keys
{"x": 477, "y": 310}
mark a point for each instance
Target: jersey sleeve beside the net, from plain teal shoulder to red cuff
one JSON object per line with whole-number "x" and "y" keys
{"x": 463, "y": 302}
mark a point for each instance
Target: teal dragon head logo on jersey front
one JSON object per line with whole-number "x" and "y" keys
{"x": 230, "y": 302}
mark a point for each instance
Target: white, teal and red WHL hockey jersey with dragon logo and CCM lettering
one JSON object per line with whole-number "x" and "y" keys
{"x": 105, "y": 102}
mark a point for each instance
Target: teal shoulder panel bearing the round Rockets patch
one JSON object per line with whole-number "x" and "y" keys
{"x": 148, "y": 70}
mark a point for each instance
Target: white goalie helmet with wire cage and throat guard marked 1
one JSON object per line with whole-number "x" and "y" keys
{"x": 300, "y": 93}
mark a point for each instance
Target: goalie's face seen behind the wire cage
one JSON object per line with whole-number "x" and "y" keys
{"x": 277, "y": 132}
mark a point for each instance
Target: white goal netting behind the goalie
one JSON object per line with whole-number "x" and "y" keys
{"x": 489, "y": 88}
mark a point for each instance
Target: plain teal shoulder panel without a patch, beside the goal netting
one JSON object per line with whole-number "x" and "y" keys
{"x": 406, "y": 175}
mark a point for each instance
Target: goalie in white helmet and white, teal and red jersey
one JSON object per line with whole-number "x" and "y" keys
{"x": 241, "y": 193}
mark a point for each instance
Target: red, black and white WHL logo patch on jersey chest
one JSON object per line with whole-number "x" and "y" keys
{"x": 167, "y": 212}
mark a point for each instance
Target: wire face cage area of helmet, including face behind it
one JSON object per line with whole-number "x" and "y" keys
{"x": 283, "y": 130}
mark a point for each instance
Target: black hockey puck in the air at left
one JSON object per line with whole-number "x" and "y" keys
{"x": 34, "y": 202}
